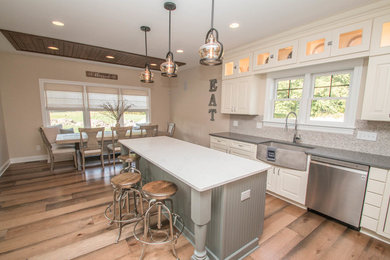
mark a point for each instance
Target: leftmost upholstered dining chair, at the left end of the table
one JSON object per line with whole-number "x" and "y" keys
{"x": 49, "y": 135}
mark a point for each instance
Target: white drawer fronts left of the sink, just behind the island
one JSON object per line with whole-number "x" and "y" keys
{"x": 242, "y": 149}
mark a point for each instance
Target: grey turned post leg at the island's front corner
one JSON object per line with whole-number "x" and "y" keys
{"x": 201, "y": 215}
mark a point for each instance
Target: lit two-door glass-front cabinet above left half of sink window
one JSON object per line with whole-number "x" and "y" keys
{"x": 279, "y": 55}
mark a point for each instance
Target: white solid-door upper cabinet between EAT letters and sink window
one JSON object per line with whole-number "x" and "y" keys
{"x": 240, "y": 96}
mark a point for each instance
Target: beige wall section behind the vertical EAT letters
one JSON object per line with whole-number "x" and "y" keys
{"x": 190, "y": 97}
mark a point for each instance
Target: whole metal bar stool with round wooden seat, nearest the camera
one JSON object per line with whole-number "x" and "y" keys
{"x": 159, "y": 192}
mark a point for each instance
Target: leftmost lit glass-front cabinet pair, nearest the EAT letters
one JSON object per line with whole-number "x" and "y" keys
{"x": 237, "y": 67}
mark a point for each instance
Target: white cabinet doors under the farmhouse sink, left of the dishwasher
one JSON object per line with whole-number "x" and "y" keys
{"x": 288, "y": 183}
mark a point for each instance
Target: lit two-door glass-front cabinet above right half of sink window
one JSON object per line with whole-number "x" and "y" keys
{"x": 342, "y": 41}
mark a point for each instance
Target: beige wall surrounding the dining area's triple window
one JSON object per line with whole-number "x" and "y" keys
{"x": 19, "y": 75}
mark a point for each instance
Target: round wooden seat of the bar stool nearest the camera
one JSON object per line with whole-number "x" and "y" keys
{"x": 159, "y": 190}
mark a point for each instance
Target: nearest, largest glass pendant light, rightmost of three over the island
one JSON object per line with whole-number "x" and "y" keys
{"x": 211, "y": 52}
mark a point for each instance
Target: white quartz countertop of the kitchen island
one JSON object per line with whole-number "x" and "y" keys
{"x": 199, "y": 167}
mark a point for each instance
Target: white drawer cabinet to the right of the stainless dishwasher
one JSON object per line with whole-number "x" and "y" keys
{"x": 376, "y": 208}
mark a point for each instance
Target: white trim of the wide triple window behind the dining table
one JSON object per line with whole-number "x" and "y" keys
{"x": 86, "y": 114}
